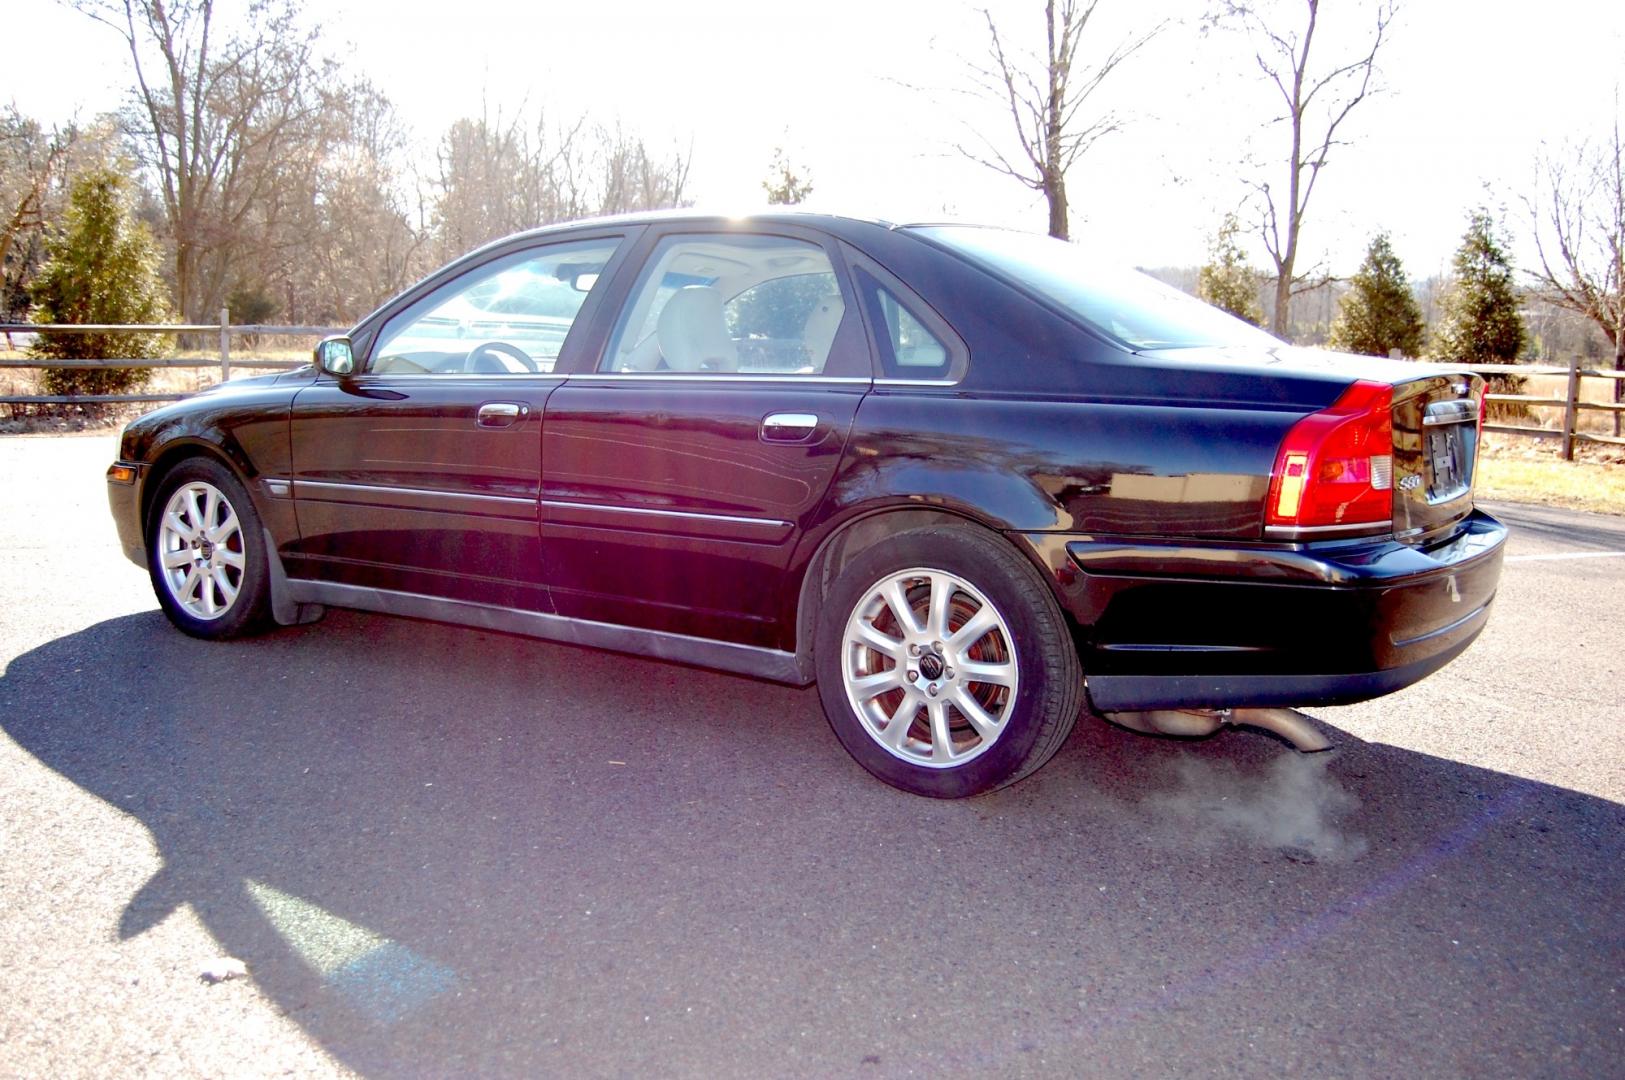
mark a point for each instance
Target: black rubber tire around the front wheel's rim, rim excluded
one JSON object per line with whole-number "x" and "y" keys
{"x": 249, "y": 610}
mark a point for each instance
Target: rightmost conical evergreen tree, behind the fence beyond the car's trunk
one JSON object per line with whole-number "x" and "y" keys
{"x": 1480, "y": 322}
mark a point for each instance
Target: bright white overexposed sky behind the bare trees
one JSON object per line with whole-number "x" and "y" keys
{"x": 869, "y": 97}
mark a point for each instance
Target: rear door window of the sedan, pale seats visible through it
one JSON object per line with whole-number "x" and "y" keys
{"x": 730, "y": 305}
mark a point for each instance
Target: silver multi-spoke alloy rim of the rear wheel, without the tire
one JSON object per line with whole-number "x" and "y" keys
{"x": 930, "y": 668}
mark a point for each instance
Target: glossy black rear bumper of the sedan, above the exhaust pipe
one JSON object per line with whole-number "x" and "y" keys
{"x": 1224, "y": 626}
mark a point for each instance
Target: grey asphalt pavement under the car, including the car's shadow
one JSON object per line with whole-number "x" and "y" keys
{"x": 438, "y": 852}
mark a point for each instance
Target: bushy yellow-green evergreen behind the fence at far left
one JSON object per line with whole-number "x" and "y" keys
{"x": 100, "y": 269}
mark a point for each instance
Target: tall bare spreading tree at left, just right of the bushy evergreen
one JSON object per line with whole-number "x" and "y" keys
{"x": 215, "y": 118}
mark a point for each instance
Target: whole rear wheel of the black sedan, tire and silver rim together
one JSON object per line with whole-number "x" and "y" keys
{"x": 976, "y": 569}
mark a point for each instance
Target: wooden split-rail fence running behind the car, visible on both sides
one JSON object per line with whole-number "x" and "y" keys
{"x": 1572, "y": 404}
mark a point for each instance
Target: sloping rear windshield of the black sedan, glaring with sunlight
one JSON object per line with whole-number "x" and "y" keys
{"x": 1124, "y": 305}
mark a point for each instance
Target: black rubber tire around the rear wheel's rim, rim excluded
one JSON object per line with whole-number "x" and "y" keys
{"x": 977, "y": 561}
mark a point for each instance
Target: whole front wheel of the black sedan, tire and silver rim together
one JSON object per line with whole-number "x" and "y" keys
{"x": 188, "y": 602}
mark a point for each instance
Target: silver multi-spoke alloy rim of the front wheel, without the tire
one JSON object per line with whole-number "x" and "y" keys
{"x": 201, "y": 551}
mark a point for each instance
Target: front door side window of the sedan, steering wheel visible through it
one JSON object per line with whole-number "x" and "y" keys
{"x": 506, "y": 318}
